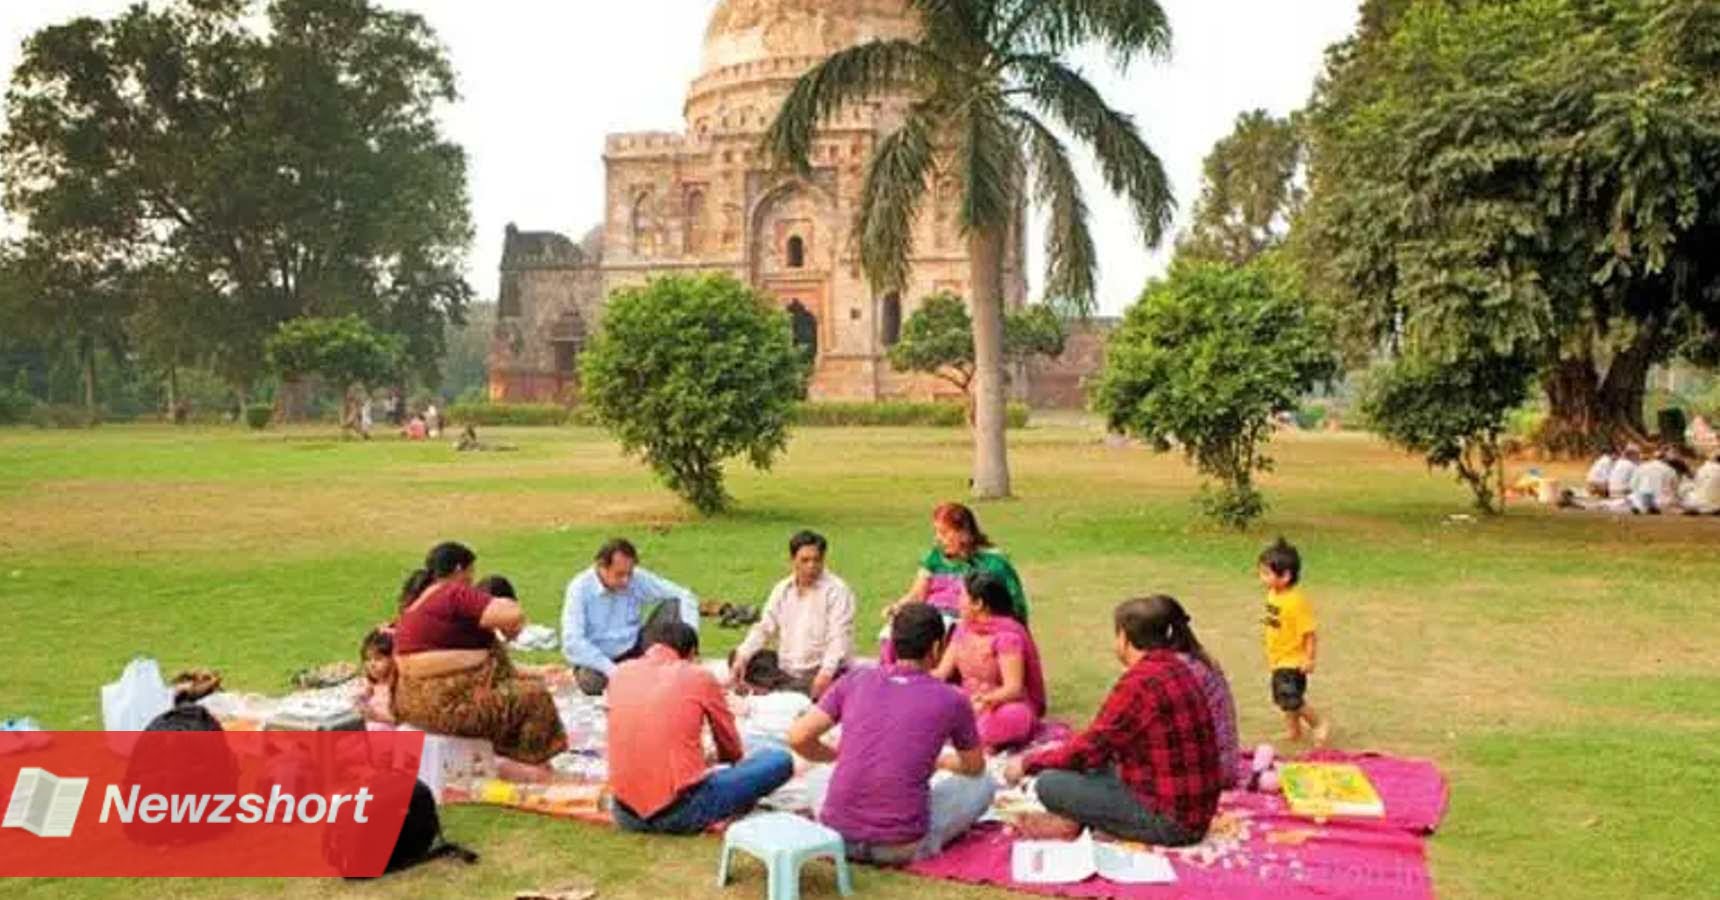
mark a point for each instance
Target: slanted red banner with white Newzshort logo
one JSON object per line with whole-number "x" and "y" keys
{"x": 247, "y": 804}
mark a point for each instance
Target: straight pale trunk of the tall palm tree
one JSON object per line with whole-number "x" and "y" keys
{"x": 992, "y": 462}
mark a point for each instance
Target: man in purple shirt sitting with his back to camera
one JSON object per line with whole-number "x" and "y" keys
{"x": 895, "y": 722}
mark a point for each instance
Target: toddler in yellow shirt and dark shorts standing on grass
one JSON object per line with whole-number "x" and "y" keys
{"x": 1291, "y": 641}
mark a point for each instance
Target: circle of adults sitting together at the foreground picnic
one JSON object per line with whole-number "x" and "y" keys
{"x": 961, "y": 675}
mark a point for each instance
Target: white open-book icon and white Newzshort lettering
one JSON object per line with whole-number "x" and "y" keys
{"x": 47, "y": 806}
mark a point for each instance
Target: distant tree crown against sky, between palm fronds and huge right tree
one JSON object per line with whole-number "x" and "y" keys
{"x": 1250, "y": 192}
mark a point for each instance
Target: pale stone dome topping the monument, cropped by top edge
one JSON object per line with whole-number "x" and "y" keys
{"x": 761, "y": 30}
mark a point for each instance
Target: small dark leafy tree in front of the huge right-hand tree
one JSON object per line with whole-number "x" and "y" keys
{"x": 1453, "y": 412}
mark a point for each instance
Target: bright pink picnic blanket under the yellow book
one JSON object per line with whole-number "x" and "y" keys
{"x": 1258, "y": 849}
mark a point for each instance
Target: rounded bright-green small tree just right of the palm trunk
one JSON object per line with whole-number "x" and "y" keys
{"x": 1207, "y": 361}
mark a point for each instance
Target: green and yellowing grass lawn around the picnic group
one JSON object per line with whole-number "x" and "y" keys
{"x": 1563, "y": 669}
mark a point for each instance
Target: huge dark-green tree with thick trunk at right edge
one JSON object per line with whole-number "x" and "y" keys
{"x": 1540, "y": 173}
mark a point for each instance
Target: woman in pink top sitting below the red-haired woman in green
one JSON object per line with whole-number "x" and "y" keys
{"x": 998, "y": 663}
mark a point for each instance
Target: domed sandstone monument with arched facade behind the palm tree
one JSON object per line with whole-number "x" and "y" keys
{"x": 706, "y": 200}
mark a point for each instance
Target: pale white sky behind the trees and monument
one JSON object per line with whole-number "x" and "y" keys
{"x": 544, "y": 82}
